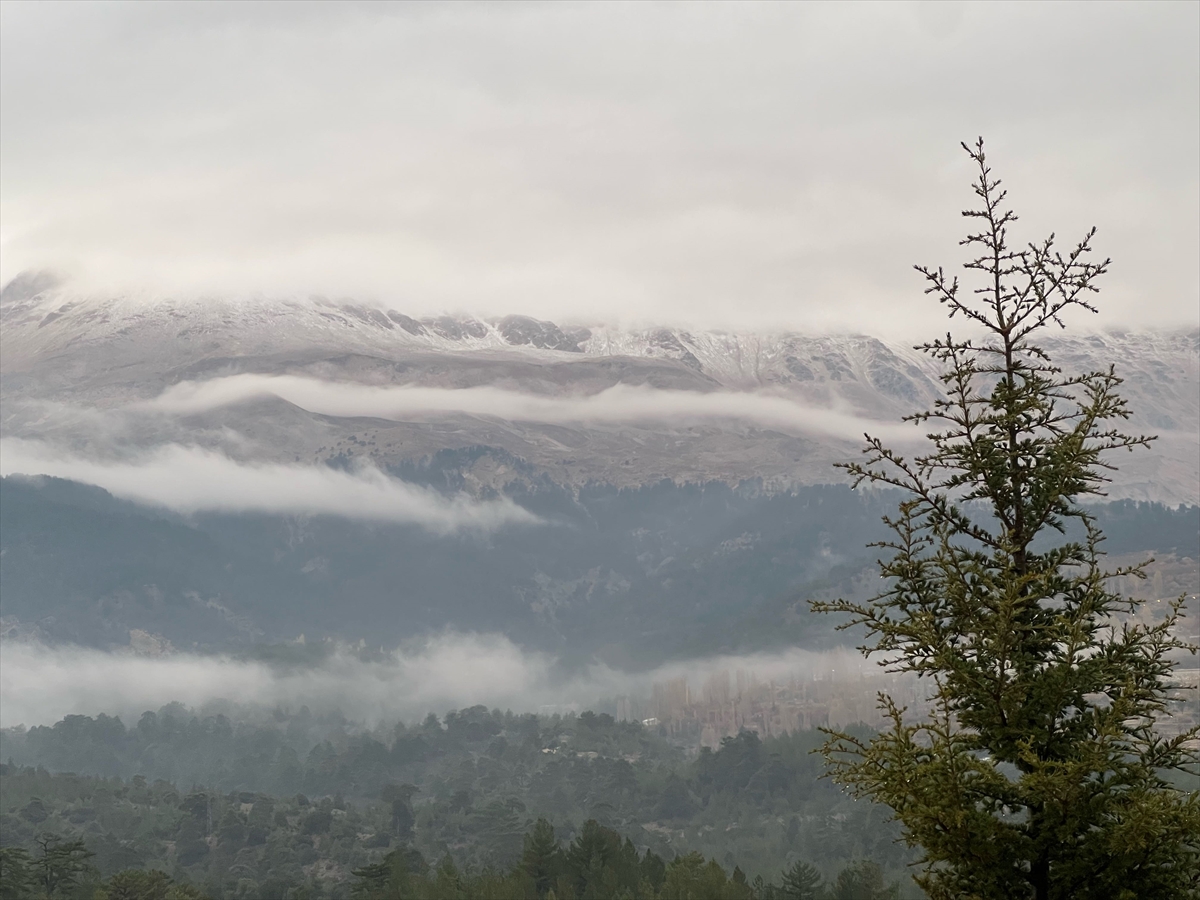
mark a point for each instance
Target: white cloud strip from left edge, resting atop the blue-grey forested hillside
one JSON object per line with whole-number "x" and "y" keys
{"x": 193, "y": 481}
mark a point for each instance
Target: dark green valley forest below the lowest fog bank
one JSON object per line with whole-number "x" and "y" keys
{"x": 481, "y": 803}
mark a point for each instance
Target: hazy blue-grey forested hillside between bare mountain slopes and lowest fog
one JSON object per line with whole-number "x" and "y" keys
{"x": 632, "y": 578}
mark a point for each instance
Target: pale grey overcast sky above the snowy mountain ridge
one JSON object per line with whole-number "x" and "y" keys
{"x": 724, "y": 165}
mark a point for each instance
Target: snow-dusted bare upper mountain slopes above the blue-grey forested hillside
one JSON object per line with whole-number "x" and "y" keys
{"x": 67, "y": 357}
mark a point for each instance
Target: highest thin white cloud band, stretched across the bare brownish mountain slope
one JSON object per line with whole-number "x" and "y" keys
{"x": 620, "y": 404}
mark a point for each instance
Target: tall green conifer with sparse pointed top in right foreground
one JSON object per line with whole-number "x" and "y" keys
{"x": 1039, "y": 772}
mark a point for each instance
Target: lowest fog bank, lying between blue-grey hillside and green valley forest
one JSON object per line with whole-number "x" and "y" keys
{"x": 40, "y": 685}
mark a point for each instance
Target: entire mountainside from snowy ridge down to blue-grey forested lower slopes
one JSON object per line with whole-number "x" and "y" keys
{"x": 655, "y": 494}
